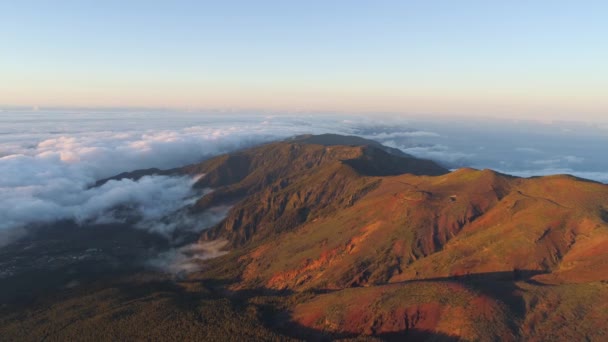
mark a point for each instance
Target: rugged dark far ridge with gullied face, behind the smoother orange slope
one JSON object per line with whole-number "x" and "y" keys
{"x": 282, "y": 184}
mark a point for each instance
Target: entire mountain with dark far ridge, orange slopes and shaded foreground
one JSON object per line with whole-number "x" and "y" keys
{"x": 332, "y": 237}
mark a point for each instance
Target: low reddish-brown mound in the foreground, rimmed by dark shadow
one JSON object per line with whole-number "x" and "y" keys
{"x": 389, "y": 320}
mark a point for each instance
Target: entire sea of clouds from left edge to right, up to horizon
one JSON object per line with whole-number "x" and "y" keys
{"x": 49, "y": 161}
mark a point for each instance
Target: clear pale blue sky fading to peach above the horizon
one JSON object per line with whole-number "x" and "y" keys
{"x": 525, "y": 59}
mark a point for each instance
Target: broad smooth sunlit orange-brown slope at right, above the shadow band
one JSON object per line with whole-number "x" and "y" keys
{"x": 465, "y": 222}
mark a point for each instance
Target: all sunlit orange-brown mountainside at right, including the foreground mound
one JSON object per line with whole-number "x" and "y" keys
{"x": 472, "y": 254}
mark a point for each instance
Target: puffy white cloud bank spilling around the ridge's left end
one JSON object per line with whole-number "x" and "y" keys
{"x": 48, "y": 177}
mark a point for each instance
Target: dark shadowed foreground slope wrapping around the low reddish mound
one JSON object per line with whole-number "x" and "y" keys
{"x": 139, "y": 305}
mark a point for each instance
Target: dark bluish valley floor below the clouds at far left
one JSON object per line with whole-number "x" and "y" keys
{"x": 55, "y": 258}
